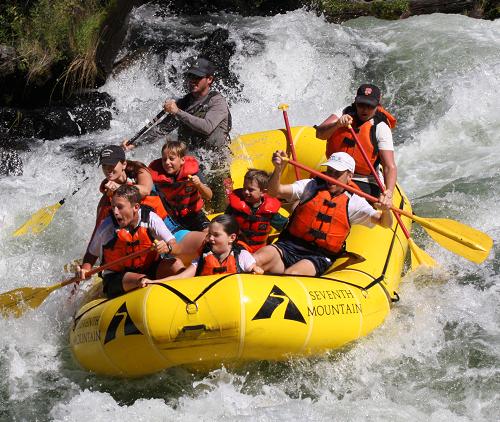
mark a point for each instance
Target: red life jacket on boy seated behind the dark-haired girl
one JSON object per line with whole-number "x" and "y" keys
{"x": 255, "y": 227}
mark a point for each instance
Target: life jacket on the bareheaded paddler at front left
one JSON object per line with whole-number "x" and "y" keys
{"x": 126, "y": 242}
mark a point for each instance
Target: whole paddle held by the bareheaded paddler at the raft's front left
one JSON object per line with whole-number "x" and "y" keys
{"x": 15, "y": 302}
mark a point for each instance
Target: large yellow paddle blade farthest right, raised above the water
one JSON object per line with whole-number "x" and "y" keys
{"x": 459, "y": 238}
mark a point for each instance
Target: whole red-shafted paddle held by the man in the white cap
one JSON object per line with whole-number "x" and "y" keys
{"x": 458, "y": 238}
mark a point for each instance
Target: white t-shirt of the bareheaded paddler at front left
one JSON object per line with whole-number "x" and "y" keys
{"x": 106, "y": 231}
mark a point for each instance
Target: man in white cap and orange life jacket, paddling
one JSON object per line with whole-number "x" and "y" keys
{"x": 317, "y": 229}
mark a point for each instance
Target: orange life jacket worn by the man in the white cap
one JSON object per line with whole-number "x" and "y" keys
{"x": 322, "y": 220}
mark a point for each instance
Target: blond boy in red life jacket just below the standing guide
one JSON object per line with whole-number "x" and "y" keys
{"x": 178, "y": 180}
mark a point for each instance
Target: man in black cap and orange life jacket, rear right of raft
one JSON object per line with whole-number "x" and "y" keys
{"x": 372, "y": 124}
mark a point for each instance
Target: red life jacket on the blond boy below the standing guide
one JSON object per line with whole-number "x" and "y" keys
{"x": 182, "y": 198}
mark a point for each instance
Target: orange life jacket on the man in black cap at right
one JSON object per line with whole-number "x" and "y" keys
{"x": 342, "y": 139}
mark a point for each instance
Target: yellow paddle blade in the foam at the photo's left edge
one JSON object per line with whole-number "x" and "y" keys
{"x": 15, "y": 302}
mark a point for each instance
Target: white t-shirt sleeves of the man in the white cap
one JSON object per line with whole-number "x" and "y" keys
{"x": 358, "y": 209}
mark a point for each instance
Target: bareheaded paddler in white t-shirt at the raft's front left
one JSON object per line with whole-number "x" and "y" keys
{"x": 130, "y": 228}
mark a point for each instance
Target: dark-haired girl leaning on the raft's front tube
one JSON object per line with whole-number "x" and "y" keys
{"x": 222, "y": 253}
